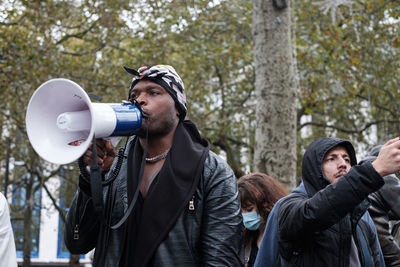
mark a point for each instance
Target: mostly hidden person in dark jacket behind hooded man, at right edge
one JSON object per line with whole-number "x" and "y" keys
{"x": 385, "y": 207}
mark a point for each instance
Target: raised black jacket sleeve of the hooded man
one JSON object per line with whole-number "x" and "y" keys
{"x": 300, "y": 215}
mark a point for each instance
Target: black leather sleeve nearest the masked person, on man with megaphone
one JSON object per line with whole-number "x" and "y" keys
{"x": 222, "y": 228}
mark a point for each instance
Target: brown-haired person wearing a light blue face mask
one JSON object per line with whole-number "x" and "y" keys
{"x": 258, "y": 194}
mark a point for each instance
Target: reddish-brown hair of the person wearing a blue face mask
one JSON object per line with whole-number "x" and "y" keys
{"x": 261, "y": 190}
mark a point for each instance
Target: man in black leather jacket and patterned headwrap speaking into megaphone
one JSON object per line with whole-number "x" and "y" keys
{"x": 186, "y": 210}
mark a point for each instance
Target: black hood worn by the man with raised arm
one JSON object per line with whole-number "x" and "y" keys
{"x": 312, "y": 174}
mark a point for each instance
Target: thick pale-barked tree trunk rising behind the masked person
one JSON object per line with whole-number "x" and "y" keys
{"x": 275, "y": 138}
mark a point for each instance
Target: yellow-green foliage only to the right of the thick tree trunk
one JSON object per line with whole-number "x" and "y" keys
{"x": 355, "y": 52}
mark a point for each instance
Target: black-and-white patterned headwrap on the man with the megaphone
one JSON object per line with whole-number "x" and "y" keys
{"x": 168, "y": 78}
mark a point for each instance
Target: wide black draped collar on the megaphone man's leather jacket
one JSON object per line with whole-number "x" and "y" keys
{"x": 170, "y": 191}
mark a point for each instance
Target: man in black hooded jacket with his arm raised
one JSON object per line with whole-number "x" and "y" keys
{"x": 328, "y": 224}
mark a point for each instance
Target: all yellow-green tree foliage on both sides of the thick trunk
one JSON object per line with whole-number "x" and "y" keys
{"x": 347, "y": 67}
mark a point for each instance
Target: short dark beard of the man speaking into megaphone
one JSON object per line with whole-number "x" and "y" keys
{"x": 156, "y": 129}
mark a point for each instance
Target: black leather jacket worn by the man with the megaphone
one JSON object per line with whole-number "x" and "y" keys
{"x": 209, "y": 235}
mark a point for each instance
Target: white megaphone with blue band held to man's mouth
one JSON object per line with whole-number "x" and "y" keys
{"x": 61, "y": 121}
